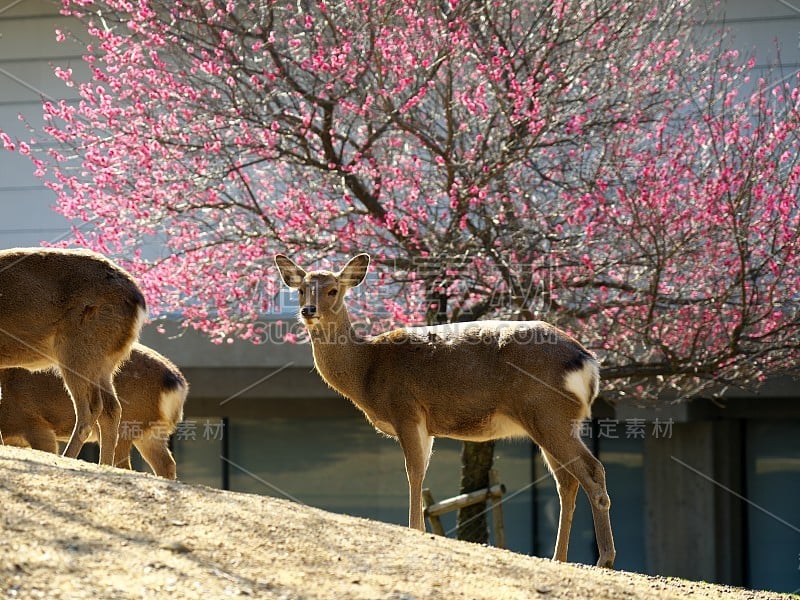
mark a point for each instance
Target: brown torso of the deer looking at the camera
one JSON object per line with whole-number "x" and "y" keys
{"x": 461, "y": 377}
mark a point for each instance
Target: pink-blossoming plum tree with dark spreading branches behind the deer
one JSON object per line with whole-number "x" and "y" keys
{"x": 590, "y": 163}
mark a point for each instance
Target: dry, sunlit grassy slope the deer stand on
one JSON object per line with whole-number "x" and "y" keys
{"x": 76, "y": 530}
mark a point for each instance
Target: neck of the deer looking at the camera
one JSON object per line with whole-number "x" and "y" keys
{"x": 340, "y": 354}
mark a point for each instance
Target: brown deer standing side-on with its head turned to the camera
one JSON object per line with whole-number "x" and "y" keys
{"x": 475, "y": 381}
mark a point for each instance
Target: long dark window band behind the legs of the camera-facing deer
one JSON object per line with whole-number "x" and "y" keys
{"x": 342, "y": 465}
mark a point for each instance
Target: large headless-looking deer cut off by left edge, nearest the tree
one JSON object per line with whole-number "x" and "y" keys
{"x": 78, "y": 313}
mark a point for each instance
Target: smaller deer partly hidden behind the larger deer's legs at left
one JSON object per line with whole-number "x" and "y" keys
{"x": 36, "y": 410}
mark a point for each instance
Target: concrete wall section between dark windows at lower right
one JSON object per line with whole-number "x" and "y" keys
{"x": 693, "y": 511}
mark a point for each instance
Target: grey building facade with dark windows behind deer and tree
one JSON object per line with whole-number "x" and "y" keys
{"x": 699, "y": 490}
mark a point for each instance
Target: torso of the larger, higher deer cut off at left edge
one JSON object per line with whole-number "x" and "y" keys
{"x": 55, "y": 301}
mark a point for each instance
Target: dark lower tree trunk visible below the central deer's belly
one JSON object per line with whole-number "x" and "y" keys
{"x": 476, "y": 461}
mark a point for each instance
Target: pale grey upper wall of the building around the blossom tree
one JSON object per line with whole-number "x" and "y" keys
{"x": 29, "y": 53}
